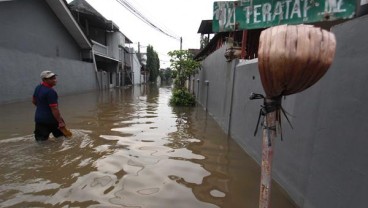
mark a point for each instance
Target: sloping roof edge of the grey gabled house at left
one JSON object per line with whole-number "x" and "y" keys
{"x": 61, "y": 10}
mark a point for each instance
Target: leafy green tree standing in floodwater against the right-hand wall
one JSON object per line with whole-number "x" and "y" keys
{"x": 185, "y": 66}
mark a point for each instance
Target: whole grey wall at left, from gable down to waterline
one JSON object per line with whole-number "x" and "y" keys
{"x": 32, "y": 40}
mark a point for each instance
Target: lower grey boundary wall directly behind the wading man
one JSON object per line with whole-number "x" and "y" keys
{"x": 20, "y": 73}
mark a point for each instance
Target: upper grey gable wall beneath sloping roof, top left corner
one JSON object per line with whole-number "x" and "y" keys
{"x": 30, "y": 26}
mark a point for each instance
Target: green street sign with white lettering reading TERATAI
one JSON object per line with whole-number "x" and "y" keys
{"x": 252, "y": 14}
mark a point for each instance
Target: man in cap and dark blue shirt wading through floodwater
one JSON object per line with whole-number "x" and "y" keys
{"x": 47, "y": 117}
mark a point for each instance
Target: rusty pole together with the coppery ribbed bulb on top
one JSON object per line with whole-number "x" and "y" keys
{"x": 302, "y": 52}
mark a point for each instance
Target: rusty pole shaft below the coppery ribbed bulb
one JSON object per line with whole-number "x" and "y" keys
{"x": 269, "y": 134}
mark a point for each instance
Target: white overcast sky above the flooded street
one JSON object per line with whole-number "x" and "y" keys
{"x": 179, "y": 18}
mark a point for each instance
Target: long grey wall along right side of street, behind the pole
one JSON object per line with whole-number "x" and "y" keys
{"x": 322, "y": 161}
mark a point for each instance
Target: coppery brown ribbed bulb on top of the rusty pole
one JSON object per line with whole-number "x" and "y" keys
{"x": 292, "y": 58}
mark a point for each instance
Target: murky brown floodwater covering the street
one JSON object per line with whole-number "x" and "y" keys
{"x": 129, "y": 149}
